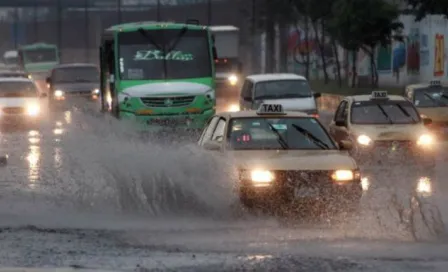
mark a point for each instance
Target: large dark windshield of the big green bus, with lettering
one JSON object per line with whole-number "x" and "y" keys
{"x": 164, "y": 54}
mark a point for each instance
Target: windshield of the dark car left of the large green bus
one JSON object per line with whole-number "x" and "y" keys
{"x": 75, "y": 74}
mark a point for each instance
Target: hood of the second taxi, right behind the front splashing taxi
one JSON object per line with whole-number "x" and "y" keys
{"x": 391, "y": 132}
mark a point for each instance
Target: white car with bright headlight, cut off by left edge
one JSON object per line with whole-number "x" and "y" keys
{"x": 20, "y": 101}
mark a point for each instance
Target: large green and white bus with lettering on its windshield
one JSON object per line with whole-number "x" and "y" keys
{"x": 159, "y": 73}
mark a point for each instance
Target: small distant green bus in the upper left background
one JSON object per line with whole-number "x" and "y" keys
{"x": 38, "y": 58}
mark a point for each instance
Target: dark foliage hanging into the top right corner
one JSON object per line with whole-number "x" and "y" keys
{"x": 422, "y": 8}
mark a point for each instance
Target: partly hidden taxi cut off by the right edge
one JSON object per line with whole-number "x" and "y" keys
{"x": 431, "y": 100}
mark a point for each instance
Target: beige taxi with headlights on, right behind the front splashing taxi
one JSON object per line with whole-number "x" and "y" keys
{"x": 386, "y": 130}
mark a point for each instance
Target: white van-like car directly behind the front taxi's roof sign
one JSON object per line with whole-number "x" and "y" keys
{"x": 289, "y": 90}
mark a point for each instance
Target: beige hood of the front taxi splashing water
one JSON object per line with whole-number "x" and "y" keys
{"x": 293, "y": 159}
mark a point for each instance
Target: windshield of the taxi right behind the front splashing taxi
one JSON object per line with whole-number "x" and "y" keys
{"x": 383, "y": 112}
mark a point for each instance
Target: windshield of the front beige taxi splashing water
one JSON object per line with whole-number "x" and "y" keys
{"x": 278, "y": 133}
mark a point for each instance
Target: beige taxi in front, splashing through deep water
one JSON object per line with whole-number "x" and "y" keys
{"x": 285, "y": 158}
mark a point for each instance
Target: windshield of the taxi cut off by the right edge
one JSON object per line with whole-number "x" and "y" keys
{"x": 431, "y": 97}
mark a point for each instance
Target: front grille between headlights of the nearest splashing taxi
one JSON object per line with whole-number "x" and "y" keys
{"x": 305, "y": 177}
